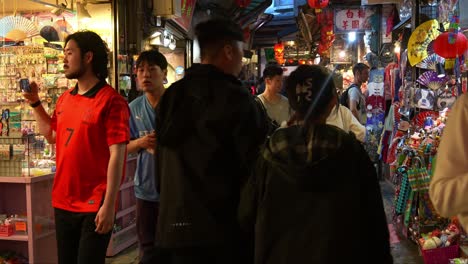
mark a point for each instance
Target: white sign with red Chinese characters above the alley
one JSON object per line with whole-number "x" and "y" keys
{"x": 355, "y": 19}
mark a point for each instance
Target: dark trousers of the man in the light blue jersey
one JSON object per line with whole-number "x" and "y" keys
{"x": 146, "y": 221}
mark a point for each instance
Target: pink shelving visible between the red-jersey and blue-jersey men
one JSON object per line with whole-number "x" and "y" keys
{"x": 125, "y": 227}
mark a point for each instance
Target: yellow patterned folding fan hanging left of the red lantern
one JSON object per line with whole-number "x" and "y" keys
{"x": 420, "y": 39}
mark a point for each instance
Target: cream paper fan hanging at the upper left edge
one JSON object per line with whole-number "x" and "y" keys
{"x": 17, "y": 28}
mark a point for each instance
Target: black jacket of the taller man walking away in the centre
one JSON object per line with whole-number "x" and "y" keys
{"x": 208, "y": 132}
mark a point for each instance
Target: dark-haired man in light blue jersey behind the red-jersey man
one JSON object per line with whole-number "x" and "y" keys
{"x": 151, "y": 71}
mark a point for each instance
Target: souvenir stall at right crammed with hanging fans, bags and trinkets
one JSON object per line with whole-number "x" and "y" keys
{"x": 425, "y": 81}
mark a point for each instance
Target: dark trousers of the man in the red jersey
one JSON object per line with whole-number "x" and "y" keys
{"x": 77, "y": 242}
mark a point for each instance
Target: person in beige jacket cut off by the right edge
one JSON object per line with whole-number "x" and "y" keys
{"x": 449, "y": 184}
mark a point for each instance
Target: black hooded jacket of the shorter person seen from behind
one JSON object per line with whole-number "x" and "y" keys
{"x": 314, "y": 198}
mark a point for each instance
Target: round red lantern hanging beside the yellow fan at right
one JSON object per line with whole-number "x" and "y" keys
{"x": 443, "y": 48}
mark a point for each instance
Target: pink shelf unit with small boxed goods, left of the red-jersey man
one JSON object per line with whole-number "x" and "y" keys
{"x": 29, "y": 196}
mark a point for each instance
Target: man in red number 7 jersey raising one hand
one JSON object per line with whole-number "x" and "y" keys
{"x": 90, "y": 129}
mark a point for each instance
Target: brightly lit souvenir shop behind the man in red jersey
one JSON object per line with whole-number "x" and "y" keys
{"x": 32, "y": 34}
